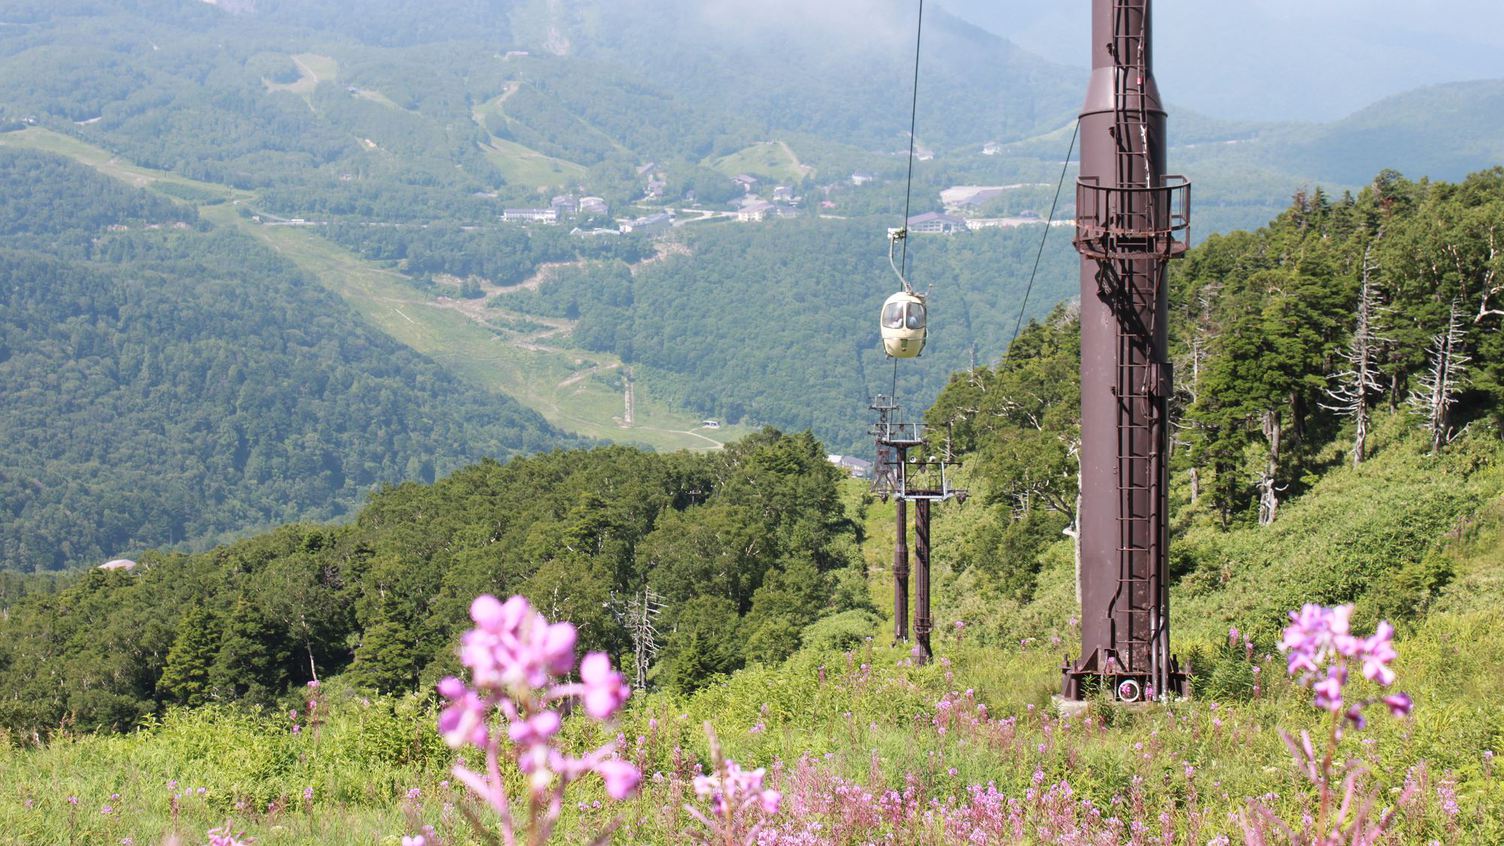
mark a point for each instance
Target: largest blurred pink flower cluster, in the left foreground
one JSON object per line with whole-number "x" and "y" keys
{"x": 520, "y": 666}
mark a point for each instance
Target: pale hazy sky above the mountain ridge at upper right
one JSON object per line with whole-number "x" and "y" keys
{"x": 1278, "y": 59}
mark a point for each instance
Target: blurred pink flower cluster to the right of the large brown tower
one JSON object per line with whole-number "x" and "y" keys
{"x": 1321, "y": 648}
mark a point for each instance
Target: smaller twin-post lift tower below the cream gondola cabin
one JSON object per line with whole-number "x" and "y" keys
{"x": 909, "y": 472}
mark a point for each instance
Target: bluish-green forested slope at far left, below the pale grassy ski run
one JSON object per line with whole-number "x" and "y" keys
{"x": 166, "y": 382}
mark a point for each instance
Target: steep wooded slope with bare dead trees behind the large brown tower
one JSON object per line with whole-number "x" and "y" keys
{"x": 1278, "y": 501}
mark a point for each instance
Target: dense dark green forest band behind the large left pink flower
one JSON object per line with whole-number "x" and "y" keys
{"x": 753, "y": 541}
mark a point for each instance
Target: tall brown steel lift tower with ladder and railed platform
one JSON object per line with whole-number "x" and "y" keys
{"x": 1132, "y": 221}
